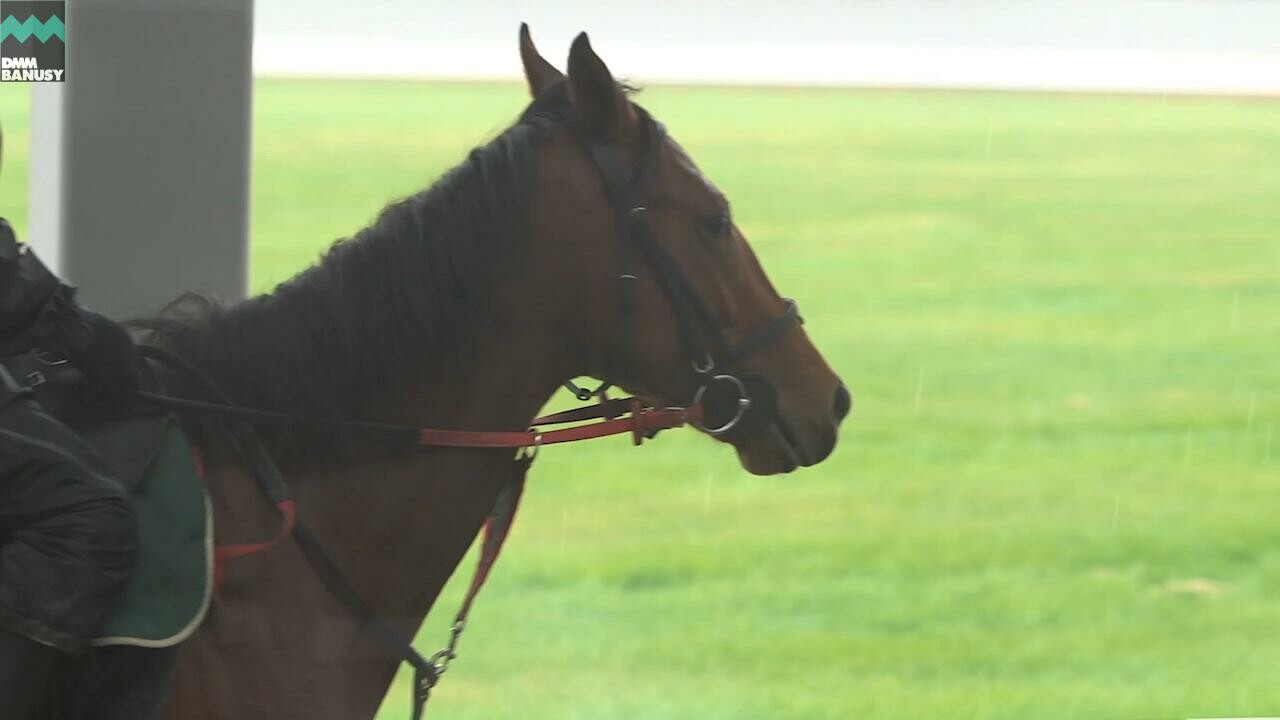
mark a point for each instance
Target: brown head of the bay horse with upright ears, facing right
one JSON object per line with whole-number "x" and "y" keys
{"x": 674, "y": 304}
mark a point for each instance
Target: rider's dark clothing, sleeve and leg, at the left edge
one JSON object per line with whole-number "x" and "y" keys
{"x": 67, "y": 528}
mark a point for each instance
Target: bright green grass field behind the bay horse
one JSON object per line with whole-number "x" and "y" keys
{"x": 1059, "y": 491}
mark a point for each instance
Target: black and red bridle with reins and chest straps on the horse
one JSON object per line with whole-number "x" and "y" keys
{"x": 751, "y": 402}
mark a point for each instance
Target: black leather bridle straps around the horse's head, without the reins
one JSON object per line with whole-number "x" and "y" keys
{"x": 711, "y": 356}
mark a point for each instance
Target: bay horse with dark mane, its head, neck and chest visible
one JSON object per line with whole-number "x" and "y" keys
{"x": 465, "y": 307}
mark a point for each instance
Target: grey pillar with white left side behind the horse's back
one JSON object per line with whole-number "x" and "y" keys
{"x": 140, "y": 162}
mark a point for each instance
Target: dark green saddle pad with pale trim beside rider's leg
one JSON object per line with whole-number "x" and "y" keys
{"x": 170, "y": 591}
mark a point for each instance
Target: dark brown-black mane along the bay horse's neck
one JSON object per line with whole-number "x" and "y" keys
{"x": 354, "y": 325}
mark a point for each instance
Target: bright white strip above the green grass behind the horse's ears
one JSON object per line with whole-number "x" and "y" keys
{"x": 1113, "y": 45}
